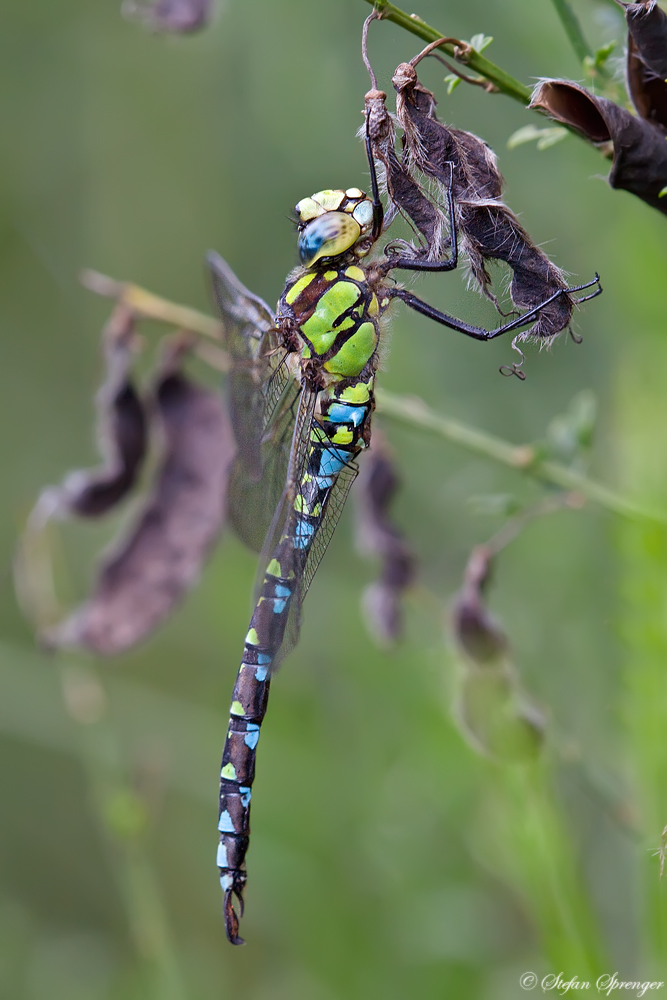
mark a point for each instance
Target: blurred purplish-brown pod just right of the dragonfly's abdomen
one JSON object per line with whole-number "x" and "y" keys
{"x": 377, "y": 536}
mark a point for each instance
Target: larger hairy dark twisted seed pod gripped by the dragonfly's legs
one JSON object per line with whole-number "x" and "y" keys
{"x": 488, "y": 229}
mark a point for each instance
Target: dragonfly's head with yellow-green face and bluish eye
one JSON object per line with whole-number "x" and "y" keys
{"x": 331, "y": 223}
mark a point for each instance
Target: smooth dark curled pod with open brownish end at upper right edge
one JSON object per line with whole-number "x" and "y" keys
{"x": 640, "y": 150}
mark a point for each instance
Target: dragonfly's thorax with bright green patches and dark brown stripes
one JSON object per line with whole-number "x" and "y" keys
{"x": 336, "y": 316}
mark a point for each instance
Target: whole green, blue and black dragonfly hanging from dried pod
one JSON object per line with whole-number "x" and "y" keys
{"x": 301, "y": 397}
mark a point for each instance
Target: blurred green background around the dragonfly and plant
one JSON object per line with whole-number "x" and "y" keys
{"x": 388, "y": 858}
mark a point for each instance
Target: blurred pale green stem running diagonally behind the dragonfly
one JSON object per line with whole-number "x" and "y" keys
{"x": 410, "y": 410}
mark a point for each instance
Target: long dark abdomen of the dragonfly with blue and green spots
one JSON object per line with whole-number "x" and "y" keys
{"x": 334, "y": 438}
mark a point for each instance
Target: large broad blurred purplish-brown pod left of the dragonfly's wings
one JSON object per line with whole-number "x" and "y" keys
{"x": 143, "y": 579}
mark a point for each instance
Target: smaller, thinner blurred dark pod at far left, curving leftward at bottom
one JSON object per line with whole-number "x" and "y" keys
{"x": 121, "y": 432}
